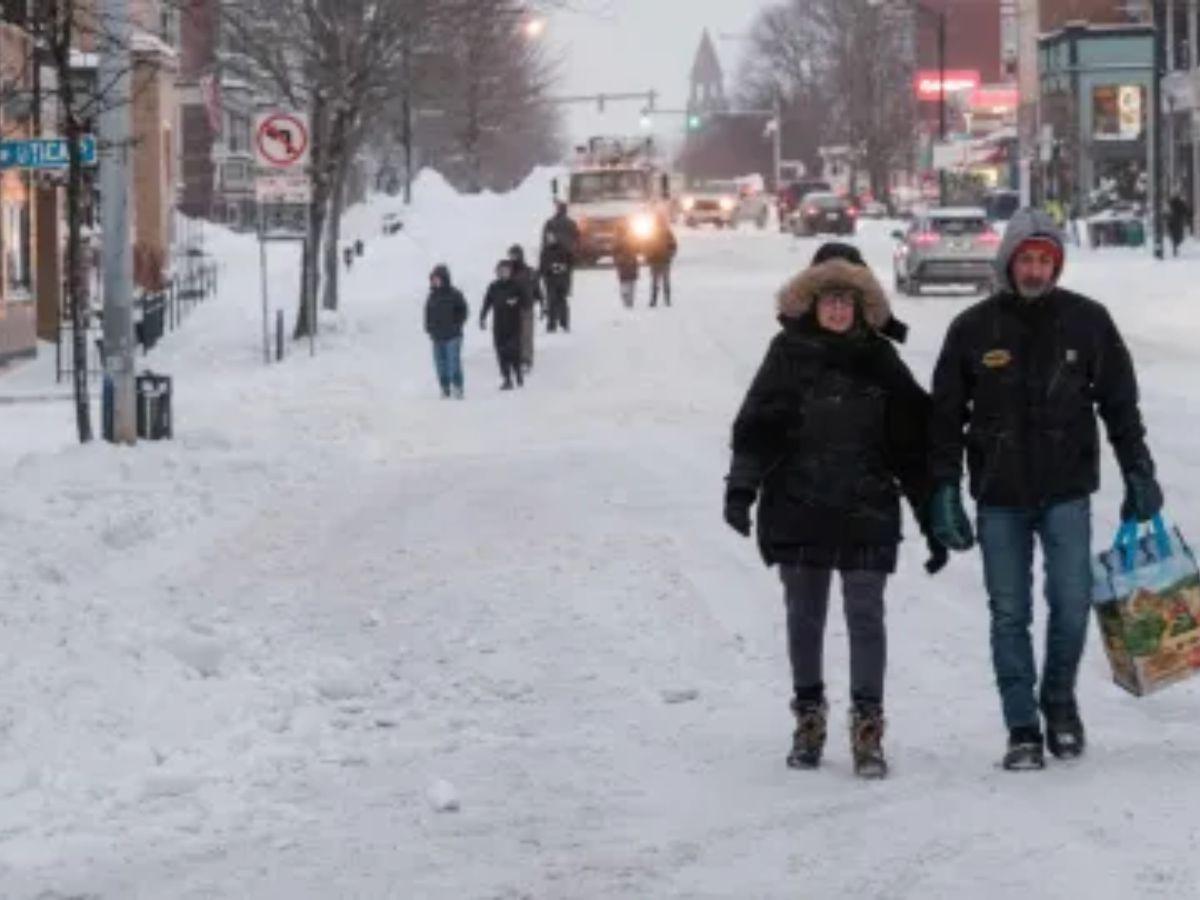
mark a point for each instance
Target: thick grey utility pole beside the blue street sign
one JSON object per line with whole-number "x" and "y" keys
{"x": 117, "y": 260}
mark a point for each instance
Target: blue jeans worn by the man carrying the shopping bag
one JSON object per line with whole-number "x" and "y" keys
{"x": 1006, "y": 537}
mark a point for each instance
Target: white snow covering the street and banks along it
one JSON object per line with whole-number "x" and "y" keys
{"x": 257, "y": 661}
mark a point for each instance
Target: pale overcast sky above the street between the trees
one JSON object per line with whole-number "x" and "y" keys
{"x": 614, "y": 46}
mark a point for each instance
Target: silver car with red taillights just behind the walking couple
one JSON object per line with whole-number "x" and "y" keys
{"x": 946, "y": 247}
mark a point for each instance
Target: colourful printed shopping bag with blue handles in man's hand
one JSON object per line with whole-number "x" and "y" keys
{"x": 1147, "y": 592}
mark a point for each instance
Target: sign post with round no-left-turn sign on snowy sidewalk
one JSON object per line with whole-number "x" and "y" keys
{"x": 283, "y": 147}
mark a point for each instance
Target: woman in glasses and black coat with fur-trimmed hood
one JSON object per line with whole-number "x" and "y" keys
{"x": 833, "y": 430}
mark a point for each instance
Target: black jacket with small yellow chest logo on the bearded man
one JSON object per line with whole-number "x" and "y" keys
{"x": 1018, "y": 386}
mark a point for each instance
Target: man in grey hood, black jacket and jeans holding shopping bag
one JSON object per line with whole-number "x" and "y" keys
{"x": 1017, "y": 389}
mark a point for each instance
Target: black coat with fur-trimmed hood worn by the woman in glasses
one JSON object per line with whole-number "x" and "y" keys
{"x": 832, "y": 431}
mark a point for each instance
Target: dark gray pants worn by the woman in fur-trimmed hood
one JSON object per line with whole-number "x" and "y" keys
{"x": 807, "y": 596}
